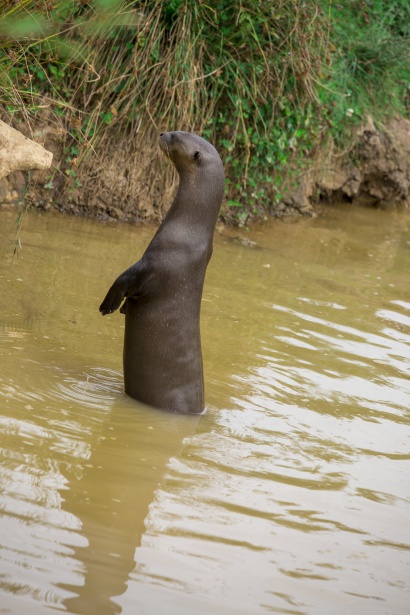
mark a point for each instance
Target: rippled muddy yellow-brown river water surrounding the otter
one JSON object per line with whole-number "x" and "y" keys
{"x": 290, "y": 495}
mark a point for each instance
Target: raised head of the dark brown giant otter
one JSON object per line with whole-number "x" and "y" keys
{"x": 190, "y": 153}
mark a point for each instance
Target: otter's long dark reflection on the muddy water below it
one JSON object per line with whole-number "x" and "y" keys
{"x": 112, "y": 494}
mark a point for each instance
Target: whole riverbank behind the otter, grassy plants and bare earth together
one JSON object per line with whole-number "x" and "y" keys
{"x": 305, "y": 103}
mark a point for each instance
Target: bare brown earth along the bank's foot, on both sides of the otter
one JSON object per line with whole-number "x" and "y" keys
{"x": 129, "y": 181}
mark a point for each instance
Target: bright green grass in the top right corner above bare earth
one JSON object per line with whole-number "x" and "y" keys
{"x": 369, "y": 71}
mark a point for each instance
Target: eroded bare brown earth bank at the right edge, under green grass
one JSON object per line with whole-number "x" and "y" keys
{"x": 375, "y": 171}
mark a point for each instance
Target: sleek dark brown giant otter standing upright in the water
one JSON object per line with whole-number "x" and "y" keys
{"x": 162, "y": 344}
